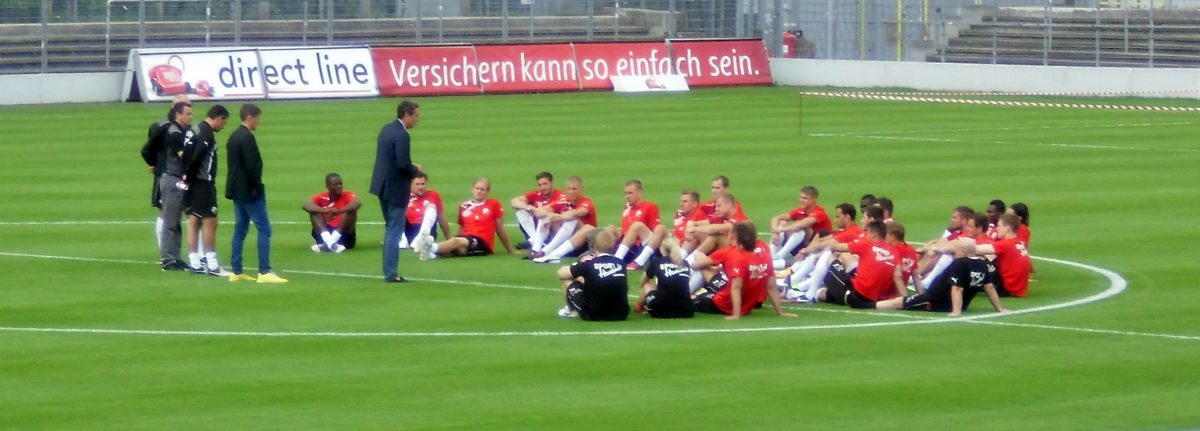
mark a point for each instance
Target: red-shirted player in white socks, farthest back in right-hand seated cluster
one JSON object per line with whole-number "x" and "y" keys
{"x": 791, "y": 230}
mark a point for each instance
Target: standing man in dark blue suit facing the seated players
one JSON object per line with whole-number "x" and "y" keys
{"x": 392, "y": 182}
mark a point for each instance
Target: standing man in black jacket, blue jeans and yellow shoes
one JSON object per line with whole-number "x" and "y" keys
{"x": 244, "y": 187}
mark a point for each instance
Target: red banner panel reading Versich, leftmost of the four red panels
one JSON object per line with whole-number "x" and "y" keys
{"x": 425, "y": 71}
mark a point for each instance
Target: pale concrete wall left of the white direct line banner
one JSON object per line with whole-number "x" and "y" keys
{"x": 61, "y": 88}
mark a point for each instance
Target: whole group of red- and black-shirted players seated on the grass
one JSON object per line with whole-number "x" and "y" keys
{"x": 712, "y": 260}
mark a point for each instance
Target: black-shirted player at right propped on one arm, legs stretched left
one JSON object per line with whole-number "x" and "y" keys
{"x": 967, "y": 277}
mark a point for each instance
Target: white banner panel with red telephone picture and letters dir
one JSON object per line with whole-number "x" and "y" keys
{"x": 202, "y": 75}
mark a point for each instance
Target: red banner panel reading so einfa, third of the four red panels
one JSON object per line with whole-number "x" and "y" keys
{"x": 599, "y": 62}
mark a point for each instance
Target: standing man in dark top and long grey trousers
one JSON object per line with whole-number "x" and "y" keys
{"x": 172, "y": 187}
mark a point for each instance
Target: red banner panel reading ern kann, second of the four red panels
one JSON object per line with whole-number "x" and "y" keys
{"x": 527, "y": 68}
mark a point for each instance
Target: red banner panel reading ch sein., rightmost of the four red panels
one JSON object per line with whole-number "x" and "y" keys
{"x": 723, "y": 63}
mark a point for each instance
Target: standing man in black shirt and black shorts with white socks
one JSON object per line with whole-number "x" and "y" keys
{"x": 201, "y": 161}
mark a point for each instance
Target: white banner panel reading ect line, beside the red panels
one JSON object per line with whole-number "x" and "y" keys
{"x": 319, "y": 73}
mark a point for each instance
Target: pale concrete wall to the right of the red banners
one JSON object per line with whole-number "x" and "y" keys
{"x": 962, "y": 77}
